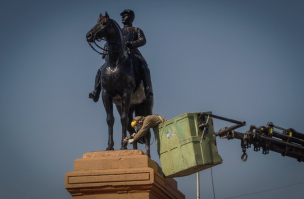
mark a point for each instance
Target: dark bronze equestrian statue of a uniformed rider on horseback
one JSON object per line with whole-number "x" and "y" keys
{"x": 125, "y": 76}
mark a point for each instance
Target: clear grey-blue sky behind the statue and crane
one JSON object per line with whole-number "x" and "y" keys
{"x": 240, "y": 59}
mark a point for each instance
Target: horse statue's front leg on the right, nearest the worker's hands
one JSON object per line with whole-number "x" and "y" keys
{"x": 124, "y": 117}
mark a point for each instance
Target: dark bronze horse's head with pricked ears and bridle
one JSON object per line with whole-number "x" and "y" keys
{"x": 103, "y": 28}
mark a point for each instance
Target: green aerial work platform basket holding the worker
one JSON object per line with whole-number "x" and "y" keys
{"x": 179, "y": 147}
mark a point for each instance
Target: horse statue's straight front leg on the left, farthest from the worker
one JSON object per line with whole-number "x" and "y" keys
{"x": 107, "y": 102}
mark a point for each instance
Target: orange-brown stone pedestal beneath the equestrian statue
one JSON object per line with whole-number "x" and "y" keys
{"x": 120, "y": 174}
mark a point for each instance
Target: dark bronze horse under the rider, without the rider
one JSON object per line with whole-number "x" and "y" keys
{"x": 121, "y": 82}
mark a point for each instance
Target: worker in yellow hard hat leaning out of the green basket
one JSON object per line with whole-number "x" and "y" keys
{"x": 142, "y": 124}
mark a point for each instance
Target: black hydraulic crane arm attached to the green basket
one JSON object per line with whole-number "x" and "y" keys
{"x": 288, "y": 143}
